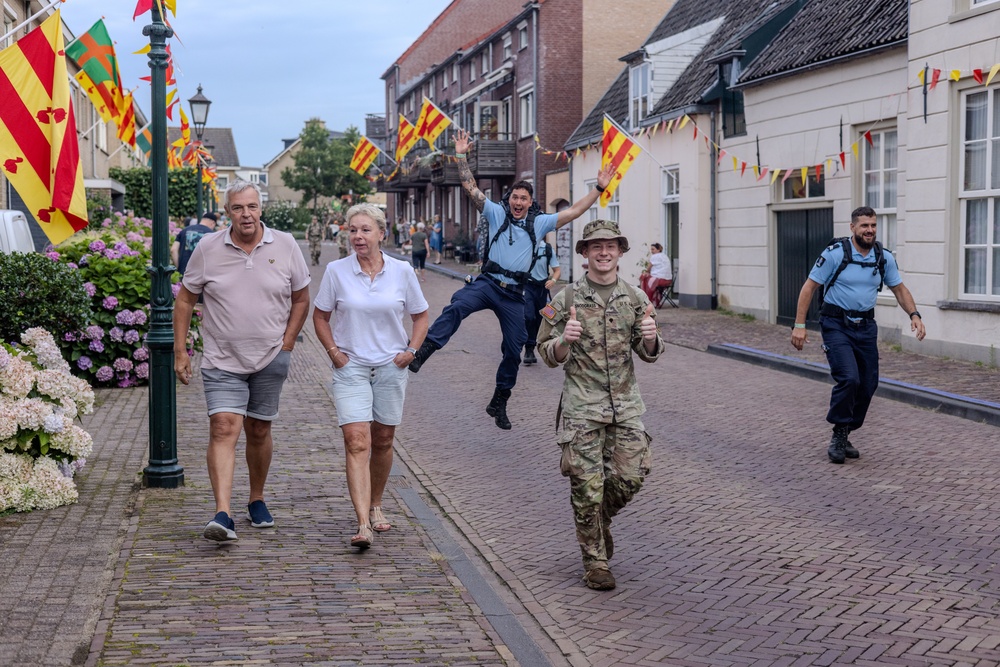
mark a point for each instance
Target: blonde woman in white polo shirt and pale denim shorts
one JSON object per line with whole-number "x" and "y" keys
{"x": 370, "y": 350}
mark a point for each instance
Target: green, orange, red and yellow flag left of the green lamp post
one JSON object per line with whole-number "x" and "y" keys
{"x": 94, "y": 53}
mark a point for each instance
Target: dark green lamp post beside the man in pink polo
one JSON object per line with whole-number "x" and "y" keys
{"x": 163, "y": 470}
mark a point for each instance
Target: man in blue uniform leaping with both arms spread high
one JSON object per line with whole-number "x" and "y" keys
{"x": 515, "y": 225}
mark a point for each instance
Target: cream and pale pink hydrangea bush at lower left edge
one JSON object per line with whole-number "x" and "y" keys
{"x": 41, "y": 448}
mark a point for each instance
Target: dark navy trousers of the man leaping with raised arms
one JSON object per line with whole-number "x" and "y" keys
{"x": 507, "y": 304}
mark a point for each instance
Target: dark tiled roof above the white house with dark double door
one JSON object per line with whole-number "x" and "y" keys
{"x": 849, "y": 27}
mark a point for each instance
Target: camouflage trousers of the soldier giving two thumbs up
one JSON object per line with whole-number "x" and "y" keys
{"x": 606, "y": 465}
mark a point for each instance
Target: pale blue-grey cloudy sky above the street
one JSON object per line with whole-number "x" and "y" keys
{"x": 269, "y": 65}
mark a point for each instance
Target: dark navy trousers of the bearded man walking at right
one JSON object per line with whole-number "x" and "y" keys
{"x": 852, "y": 352}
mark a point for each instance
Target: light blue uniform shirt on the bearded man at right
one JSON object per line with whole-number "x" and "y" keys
{"x": 857, "y": 286}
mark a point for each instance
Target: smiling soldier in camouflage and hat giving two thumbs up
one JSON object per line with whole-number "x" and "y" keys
{"x": 605, "y": 447}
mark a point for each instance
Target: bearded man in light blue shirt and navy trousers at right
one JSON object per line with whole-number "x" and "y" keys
{"x": 847, "y": 321}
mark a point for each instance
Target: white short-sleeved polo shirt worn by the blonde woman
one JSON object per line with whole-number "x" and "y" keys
{"x": 369, "y": 313}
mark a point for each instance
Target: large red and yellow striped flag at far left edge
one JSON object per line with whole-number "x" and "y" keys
{"x": 39, "y": 153}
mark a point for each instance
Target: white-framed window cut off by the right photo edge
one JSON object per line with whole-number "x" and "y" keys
{"x": 980, "y": 194}
